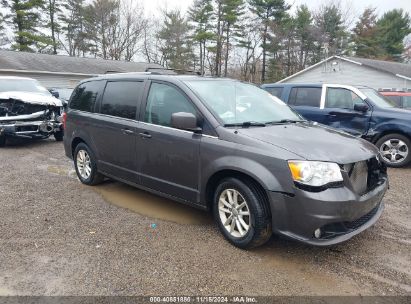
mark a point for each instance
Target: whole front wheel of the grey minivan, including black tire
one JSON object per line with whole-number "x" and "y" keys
{"x": 259, "y": 219}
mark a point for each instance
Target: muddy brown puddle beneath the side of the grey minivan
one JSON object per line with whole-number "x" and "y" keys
{"x": 151, "y": 205}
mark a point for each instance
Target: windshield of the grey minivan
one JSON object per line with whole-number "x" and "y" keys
{"x": 238, "y": 103}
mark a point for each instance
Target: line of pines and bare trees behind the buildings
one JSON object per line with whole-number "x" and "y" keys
{"x": 252, "y": 40}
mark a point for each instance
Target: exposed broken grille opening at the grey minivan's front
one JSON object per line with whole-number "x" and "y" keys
{"x": 365, "y": 175}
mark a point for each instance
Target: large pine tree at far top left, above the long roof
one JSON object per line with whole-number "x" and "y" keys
{"x": 25, "y": 19}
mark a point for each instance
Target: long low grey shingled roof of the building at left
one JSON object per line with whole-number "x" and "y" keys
{"x": 13, "y": 60}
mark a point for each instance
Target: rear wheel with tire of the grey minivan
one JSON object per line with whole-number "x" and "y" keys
{"x": 84, "y": 158}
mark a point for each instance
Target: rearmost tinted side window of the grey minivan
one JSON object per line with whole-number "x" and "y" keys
{"x": 85, "y": 96}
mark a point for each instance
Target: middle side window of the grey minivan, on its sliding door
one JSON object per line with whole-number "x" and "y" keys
{"x": 121, "y": 97}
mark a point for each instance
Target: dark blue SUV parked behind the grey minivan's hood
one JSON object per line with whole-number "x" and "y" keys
{"x": 358, "y": 110}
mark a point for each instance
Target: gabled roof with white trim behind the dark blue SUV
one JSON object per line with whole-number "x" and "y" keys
{"x": 402, "y": 70}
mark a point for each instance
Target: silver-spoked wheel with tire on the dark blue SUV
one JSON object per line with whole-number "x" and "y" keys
{"x": 400, "y": 150}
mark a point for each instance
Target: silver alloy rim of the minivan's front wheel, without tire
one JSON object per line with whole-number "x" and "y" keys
{"x": 234, "y": 213}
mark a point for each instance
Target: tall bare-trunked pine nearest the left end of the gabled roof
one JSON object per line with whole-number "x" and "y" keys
{"x": 267, "y": 11}
